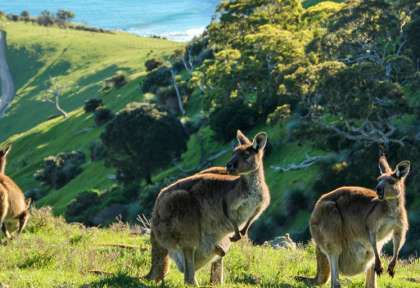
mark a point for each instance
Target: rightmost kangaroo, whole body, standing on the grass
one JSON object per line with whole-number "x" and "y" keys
{"x": 350, "y": 225}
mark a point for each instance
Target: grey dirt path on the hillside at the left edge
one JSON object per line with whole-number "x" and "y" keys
{"x": 8, "y": 91}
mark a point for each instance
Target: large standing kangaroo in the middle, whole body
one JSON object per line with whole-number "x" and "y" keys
{"x": 194, "y": 215}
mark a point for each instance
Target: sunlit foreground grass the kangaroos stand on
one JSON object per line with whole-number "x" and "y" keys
{"x": 52, "y": 253}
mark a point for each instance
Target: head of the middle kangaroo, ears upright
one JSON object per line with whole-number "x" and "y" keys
{"x": 247, "y": 156}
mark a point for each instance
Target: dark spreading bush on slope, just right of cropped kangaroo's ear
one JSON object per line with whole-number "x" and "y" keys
{"x": 60, "y": 169}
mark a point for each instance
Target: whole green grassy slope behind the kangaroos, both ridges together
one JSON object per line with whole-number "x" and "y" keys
{"x": 83, "y": 60}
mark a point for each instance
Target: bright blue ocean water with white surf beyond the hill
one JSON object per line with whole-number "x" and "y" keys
{"x": 178, "y": 20}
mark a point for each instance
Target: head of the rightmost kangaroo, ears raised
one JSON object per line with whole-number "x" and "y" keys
{"x": 391, "y": 183}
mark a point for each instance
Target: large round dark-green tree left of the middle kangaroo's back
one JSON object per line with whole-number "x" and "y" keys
{"x": 140, "y": 139}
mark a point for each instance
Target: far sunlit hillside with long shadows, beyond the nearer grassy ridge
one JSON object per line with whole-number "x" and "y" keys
{"x": 79, "y": 59}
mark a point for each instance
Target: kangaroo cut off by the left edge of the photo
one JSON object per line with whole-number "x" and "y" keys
{"x": 13, "y": 206}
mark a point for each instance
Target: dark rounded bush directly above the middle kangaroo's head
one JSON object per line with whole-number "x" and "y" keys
{"x": 227, "y": 119}
